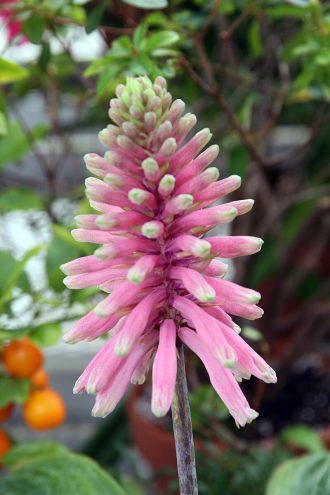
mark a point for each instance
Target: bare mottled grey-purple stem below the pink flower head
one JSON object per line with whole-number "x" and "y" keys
{"x": 184, "y": 442}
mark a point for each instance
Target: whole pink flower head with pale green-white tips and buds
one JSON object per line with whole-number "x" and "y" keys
{"x": 162, "y": 282}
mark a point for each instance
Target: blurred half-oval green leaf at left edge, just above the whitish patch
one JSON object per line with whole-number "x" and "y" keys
{"x": 18, "y": 198}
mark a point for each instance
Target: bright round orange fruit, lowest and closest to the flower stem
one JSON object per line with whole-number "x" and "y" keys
{"x": 44, "y": 409}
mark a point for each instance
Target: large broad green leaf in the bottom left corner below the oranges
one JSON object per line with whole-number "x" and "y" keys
{"x": 56, "y": 472}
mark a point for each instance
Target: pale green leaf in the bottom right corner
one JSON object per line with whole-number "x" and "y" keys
{"x": 307, "y": 475}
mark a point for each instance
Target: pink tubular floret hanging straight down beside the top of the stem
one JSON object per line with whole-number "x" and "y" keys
{"x": 164, "y": 369}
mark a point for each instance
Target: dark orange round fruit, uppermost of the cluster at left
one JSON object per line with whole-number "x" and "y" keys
{"x": 21, "y": 358}
